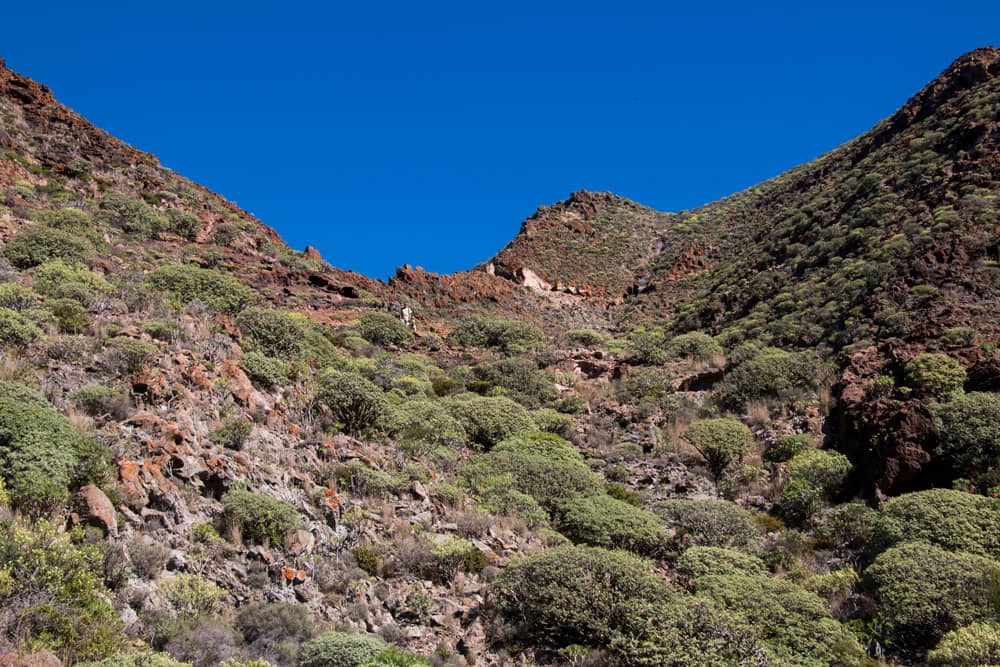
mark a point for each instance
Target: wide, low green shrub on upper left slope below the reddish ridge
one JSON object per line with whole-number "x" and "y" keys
{"x": 187, "y": 283}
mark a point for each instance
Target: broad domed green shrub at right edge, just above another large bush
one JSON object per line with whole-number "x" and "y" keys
{"x": 953, "y": 520}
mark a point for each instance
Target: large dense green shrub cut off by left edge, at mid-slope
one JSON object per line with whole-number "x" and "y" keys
{"x": 42, "y": 456}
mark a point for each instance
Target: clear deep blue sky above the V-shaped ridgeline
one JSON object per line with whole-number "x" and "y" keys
{"x": 387, "y": 133}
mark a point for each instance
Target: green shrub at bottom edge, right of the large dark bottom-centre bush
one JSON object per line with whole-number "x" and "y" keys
{"x": 792, "y": 622}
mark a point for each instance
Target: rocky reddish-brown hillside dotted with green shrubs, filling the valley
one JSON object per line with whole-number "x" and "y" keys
{"x": 759, "y": 433}
